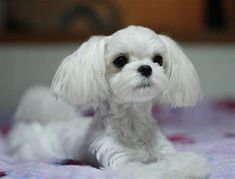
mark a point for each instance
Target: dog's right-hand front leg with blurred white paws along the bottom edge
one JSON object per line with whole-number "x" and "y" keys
{"x": 170, "y": 164}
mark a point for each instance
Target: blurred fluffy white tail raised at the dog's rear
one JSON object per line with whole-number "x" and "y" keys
{"x": 38, "y": 104}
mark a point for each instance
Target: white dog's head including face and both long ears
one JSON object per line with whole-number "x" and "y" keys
{"x": 132, "y": 65}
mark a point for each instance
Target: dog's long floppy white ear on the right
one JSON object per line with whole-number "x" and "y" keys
{"x": 184, "y": 88}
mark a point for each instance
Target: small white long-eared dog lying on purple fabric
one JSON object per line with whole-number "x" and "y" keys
{"x": 121, "y": 76}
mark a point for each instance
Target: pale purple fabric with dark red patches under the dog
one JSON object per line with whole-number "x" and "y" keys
{"x": 207, "y": 129}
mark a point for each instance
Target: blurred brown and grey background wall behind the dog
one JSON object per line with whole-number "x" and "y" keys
{"x": 36, "y": 35}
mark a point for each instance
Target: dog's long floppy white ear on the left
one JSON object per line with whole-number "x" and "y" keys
{"x": 80, "y": 79}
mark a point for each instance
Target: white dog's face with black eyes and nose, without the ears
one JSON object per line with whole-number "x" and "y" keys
{"x": 136, "y": 65}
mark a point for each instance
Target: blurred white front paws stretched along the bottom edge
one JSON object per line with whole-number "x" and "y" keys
{"x": 173, "y": 166}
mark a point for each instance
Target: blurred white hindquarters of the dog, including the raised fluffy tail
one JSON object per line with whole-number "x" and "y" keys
{"x": 46, "y": 128}
